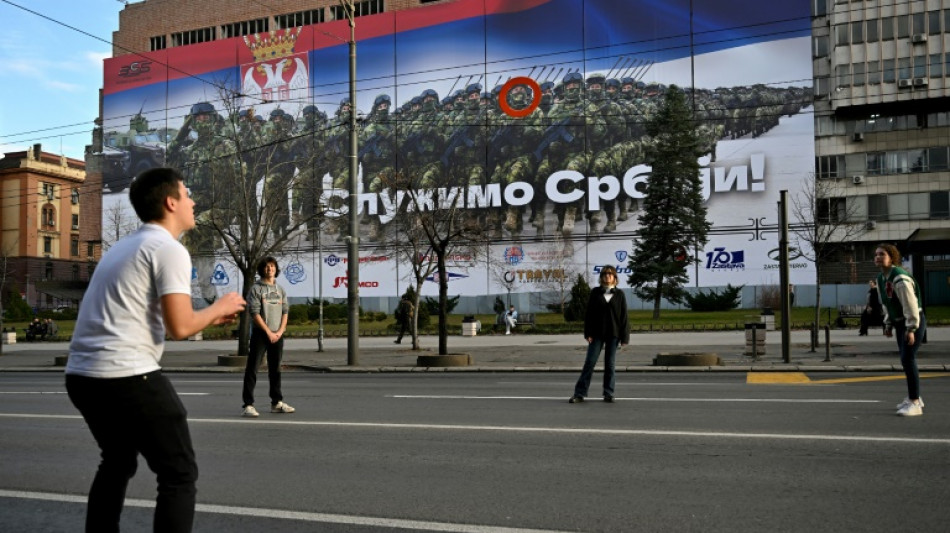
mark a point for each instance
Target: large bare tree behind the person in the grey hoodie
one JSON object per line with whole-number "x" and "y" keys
{"x": 245, "y": 180}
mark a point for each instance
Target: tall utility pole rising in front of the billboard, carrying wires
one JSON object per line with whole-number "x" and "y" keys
{"x": 353, "y": 248}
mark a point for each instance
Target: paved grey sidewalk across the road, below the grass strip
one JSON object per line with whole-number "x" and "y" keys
{"x": 535, "y": 353}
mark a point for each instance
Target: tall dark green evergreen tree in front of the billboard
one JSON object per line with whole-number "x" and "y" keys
{"x": 673, "y": 220}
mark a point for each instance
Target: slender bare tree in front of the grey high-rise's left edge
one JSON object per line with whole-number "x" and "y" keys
{"x": 827, "y": 220}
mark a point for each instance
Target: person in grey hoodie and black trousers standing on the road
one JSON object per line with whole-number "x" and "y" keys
{"x": 268, "y": 306}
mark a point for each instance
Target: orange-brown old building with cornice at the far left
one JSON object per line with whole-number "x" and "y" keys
{"x": 48, "y": 247}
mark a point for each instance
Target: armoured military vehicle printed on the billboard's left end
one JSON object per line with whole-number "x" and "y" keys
{"x": 143, "y": 148}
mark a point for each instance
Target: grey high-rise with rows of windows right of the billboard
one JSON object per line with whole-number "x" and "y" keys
{"x": 882, "y": 133}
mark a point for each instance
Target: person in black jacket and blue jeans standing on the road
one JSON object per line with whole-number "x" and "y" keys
{"x": 606, "y": 327}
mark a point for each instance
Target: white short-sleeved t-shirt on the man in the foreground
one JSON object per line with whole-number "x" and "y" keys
{"x": 120, "y": 331}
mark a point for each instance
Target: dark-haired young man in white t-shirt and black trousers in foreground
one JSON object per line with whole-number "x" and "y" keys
{"x": 140, "y": 291}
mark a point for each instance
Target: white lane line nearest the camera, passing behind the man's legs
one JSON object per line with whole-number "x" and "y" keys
{"x": 325, "y": 518}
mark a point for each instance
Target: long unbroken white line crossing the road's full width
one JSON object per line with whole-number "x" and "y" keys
{"x": 516, "y": 429}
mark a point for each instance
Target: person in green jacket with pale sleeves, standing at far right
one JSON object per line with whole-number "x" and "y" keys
{"x": 903, "y": 318}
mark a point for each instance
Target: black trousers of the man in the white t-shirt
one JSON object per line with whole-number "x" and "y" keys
{"x": 130, "y": 416}
